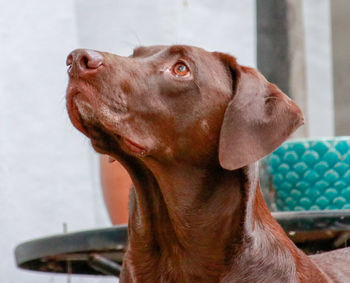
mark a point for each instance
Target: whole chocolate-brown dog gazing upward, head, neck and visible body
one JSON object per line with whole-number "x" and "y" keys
{"x": 189, "y": 126}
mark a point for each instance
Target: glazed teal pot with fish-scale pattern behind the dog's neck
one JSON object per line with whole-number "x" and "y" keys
{"x": 311, "y": 174}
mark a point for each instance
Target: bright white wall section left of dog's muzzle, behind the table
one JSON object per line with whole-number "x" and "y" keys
{"x": 46, "y": 165}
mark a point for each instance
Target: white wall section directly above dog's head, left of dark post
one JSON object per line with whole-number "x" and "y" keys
{"x": 118, "y": 27}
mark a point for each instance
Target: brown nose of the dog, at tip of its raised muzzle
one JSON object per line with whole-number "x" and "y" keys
{"x": 82, "y": 62}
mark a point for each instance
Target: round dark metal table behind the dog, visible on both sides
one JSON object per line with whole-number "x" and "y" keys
{"x": 101, "y": 251}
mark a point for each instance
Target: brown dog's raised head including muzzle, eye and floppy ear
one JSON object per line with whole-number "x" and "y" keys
{"x": 177, "y": 103}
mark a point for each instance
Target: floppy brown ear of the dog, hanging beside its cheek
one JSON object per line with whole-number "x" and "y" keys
{"x": 257, "y": 120}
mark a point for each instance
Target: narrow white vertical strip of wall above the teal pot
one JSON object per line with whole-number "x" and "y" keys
{"x": 319, "y": 67}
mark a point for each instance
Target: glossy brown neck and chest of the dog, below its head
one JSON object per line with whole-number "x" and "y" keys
{"x": 196, "y": 221}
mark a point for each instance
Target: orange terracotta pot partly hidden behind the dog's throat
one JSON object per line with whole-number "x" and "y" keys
{"x": 116, "y": 184}
